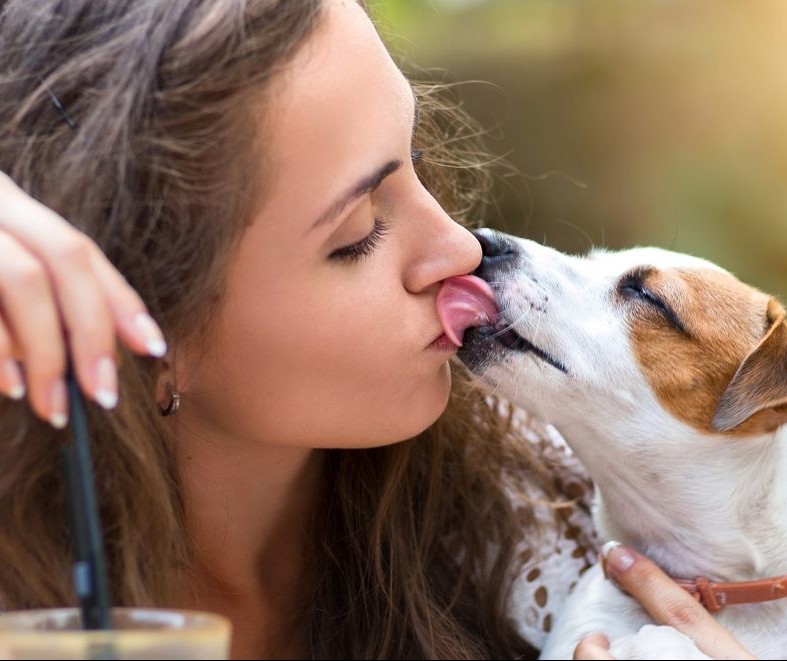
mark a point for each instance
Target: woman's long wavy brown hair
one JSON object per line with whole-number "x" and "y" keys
{"x": 149, "y": 156}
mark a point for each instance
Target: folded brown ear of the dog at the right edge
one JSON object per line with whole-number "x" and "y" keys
{"x": 760, "y": 383}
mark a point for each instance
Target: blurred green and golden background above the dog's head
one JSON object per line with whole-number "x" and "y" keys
{"x": 629, "y": 122}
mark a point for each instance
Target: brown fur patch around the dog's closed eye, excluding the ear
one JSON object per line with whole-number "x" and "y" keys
{"x": 689, "y": 372}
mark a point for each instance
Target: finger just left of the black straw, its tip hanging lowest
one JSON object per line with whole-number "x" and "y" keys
{"x": 34, "y": 329}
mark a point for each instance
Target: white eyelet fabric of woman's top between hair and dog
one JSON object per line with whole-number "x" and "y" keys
{"x": 558, "y": 541}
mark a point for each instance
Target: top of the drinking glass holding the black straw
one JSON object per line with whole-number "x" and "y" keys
{"x": 137, "y": 633}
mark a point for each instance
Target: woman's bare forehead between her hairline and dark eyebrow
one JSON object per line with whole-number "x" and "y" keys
{"x": 339, "y": 109}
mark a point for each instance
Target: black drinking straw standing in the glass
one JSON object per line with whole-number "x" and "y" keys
{"x": 90, "y": 567}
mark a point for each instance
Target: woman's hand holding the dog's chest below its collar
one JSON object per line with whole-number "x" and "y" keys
{"x": 667, "y": 603}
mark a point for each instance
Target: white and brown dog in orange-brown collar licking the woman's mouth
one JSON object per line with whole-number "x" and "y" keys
{"x": 667, "y": 376}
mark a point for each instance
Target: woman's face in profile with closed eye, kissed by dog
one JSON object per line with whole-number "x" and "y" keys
{"x": 328, "y": 325}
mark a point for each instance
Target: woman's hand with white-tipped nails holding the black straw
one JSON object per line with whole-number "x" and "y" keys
{"x": 55, "y": 284}
